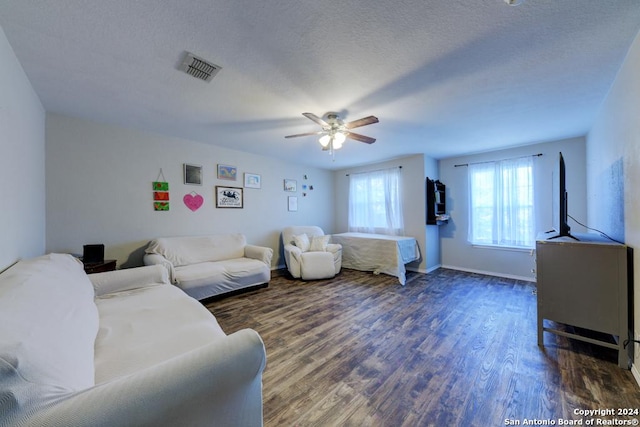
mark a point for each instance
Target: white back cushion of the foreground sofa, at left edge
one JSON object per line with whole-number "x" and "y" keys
{"x": 49, "y": 326}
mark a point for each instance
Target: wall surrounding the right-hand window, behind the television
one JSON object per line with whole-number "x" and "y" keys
{"x": 458, "y": 253}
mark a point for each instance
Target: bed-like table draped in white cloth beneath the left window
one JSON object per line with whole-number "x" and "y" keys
{"x": 378, "y": 253}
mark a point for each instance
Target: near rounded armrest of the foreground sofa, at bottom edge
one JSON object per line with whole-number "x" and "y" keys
{"x": 217, "y": 384}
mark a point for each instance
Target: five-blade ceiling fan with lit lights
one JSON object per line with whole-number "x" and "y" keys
{"x": 335, "y": 131}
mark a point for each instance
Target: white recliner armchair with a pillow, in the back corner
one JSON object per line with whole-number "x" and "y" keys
{"x": 308, "y": 253}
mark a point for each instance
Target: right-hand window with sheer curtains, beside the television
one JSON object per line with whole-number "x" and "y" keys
{"x": 501, "y": 203}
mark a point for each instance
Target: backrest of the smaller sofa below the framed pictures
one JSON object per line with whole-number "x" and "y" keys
{"x": 194, "y": 249}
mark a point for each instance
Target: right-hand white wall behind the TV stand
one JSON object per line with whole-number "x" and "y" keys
{"x": 613, "y": 166}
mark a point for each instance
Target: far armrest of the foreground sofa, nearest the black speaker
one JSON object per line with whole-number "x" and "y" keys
{"x": 128, "y": 278}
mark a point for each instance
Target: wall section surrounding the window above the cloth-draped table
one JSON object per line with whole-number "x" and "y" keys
{"x": 414, "y": 208}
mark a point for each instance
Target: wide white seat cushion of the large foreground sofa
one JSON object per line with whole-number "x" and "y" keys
{"x": 143, "y": 327}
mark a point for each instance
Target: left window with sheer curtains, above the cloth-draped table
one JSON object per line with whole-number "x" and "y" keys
{"x": 375, "y": 202}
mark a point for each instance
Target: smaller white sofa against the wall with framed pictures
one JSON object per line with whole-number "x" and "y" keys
{"x": 207, "y": 266}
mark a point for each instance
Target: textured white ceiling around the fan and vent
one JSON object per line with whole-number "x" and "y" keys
{"x": 444, "y": 77}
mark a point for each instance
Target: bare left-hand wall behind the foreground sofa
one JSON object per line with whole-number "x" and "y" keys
{"x": 22, "y": 193}
